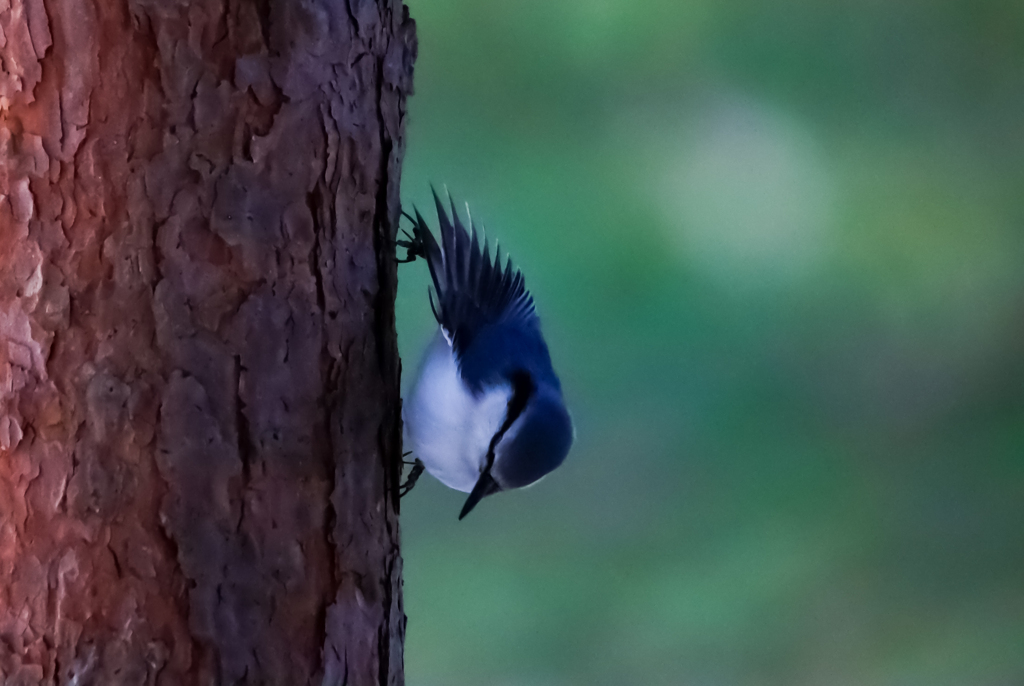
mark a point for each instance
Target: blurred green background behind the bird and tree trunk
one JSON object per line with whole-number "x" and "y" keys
{"x": 778, "y": 252}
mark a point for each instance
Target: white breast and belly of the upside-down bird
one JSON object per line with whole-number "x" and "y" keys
{"x": 448, "y": 427}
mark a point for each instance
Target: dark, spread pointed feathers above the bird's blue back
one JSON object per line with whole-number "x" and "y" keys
{"x": 474, "y": 290}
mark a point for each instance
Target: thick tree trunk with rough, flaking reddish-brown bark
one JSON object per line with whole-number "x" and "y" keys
{"x": 199, "y": 378}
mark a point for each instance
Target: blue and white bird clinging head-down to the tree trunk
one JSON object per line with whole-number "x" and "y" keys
{"x": 486, "y": 413}
